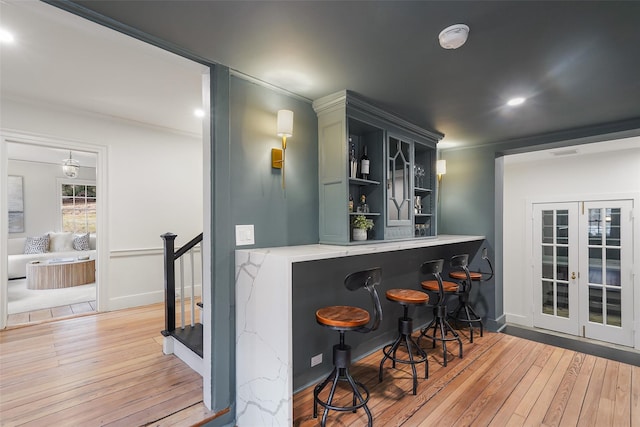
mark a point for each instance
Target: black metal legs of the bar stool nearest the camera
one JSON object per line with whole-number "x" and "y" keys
{"x": 341, "y": 363}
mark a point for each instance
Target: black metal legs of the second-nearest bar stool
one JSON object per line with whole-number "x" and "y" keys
{"x": 405, "y": 329}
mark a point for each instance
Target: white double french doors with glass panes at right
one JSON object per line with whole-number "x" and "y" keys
{"x": 582, "y": 269}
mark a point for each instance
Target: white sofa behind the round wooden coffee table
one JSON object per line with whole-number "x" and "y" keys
{"x": 18, "y": 260}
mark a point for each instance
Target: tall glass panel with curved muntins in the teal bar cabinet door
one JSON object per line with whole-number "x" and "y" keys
{"x": 399, "y": 198}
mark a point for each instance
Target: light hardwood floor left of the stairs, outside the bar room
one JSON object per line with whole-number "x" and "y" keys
{"x": 102, "y": 370}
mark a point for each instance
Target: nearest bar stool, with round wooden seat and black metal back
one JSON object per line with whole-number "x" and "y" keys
{"x": 343, "y": 319}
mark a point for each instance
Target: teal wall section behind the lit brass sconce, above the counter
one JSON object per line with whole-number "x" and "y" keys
{"x": 280, "y": 217}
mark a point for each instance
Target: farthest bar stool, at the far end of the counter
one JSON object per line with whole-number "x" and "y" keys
{"x": 464, "y": 312}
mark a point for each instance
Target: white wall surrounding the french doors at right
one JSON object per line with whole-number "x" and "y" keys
{"x": 558, "y": 178}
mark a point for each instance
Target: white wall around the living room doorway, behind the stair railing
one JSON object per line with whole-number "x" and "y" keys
{"x": 154, "y": 186}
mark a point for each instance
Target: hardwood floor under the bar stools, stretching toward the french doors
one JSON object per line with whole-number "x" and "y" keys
{"x": 501, "y": 381}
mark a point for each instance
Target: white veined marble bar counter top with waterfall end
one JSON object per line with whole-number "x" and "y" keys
{"x": 264, "y": 360}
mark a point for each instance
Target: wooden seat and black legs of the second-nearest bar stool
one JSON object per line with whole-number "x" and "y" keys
{"x": 406, "y": 297}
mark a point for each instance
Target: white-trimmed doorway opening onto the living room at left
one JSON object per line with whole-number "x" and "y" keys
{"x": 37, "y": 161}
